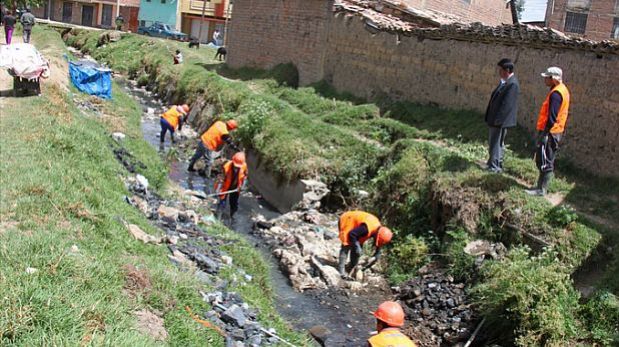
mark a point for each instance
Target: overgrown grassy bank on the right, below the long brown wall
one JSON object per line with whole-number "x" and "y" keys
{"x": 420, "y": 165}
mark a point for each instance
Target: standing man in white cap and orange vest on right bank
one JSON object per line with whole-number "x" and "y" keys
{"x": 551, "y": 123}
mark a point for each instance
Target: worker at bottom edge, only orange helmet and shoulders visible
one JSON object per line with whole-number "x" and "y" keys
{"x": 389, "y": 318}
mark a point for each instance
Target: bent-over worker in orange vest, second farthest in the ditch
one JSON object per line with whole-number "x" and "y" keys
{"x": 213, "y": 140}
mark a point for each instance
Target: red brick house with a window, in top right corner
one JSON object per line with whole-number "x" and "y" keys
{"x": 591, "y": 19}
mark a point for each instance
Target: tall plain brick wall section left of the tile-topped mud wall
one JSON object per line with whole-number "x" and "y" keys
{"x": 280, "y": 31}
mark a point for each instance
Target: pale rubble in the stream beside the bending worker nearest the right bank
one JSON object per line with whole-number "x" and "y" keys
{"x": 306, "y": 244}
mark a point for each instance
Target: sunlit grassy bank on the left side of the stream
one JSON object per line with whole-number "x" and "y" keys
{"x": 62, "y": 202}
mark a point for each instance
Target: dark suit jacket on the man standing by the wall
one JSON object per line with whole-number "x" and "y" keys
{"x": 503, "y": 106}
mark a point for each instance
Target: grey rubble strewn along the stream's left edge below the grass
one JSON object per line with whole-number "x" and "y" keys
{"x": 194, "y": 250}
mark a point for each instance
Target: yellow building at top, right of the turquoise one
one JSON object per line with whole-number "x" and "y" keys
{"x": 215, "y": 14}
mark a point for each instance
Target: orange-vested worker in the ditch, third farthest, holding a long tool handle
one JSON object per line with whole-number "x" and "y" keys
{"x": 234, "y": 174}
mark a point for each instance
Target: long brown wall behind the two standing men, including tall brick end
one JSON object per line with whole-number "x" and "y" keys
{"x": 458, "y": 74}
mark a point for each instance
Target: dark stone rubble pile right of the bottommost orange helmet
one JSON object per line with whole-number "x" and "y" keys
{"x": 437, "y": 309}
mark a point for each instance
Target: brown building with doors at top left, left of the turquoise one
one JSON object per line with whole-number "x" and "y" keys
{"x": 93, "y": 13}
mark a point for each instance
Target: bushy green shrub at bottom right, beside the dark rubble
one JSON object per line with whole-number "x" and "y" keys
{"x": 535, "y": 294}
